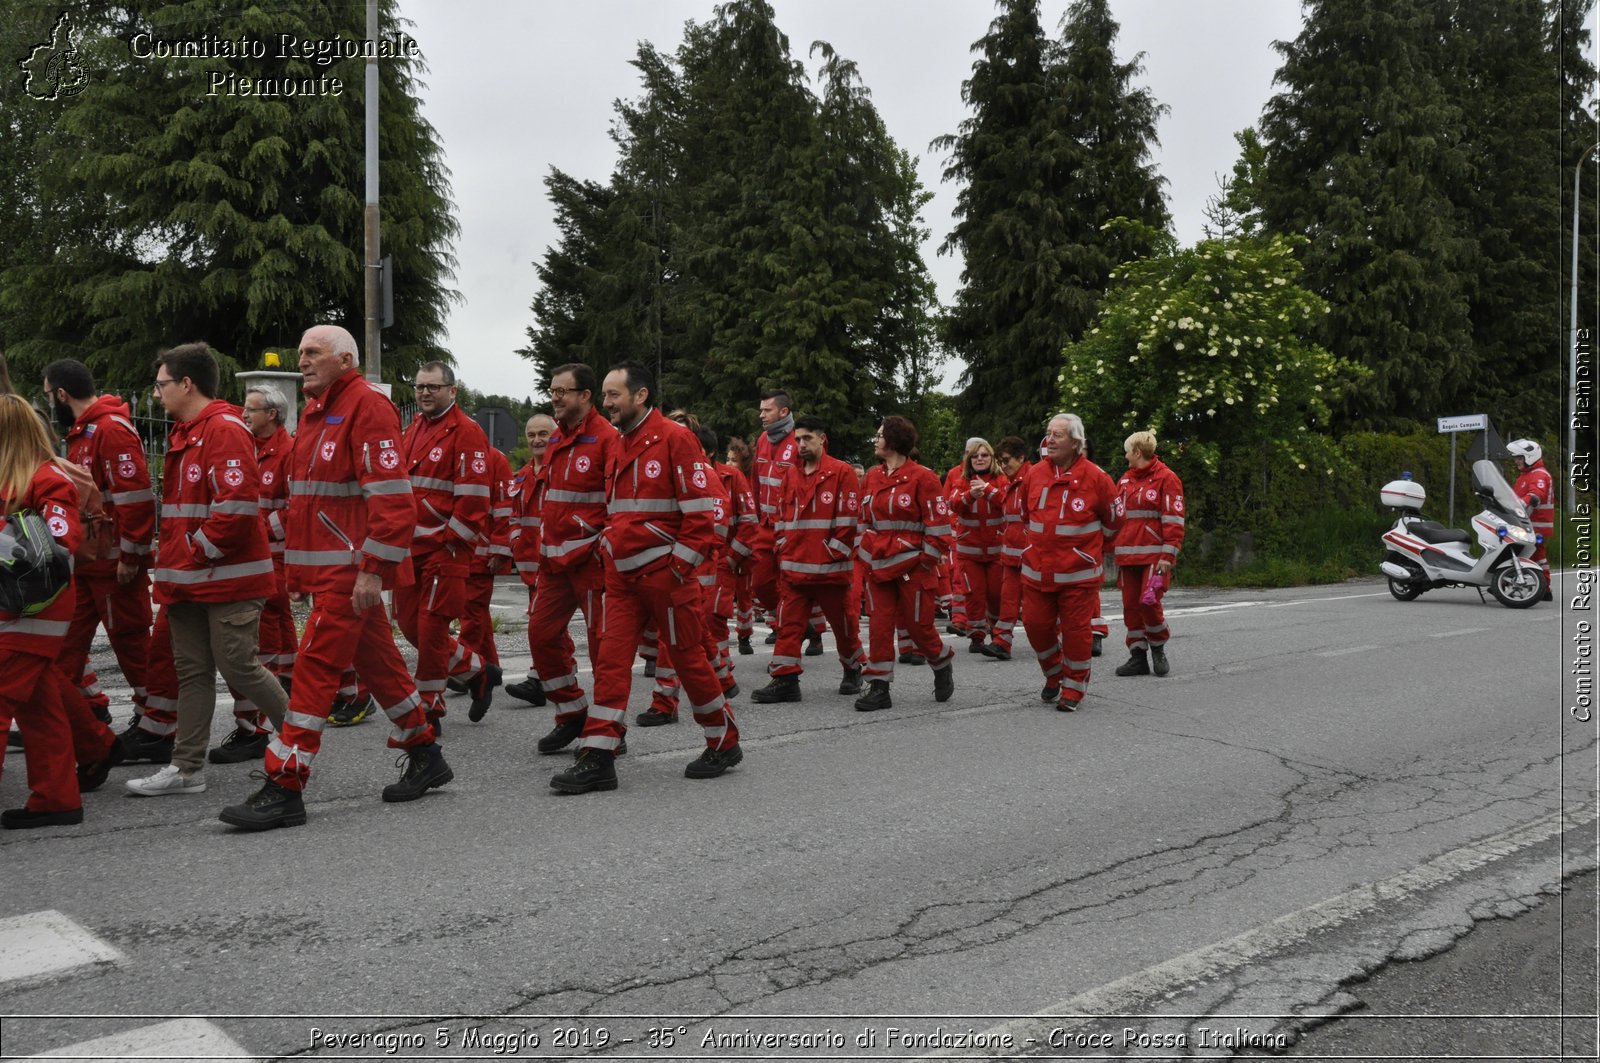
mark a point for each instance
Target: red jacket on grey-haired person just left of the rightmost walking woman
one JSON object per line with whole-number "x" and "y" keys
{"x": 1070, "y": 516}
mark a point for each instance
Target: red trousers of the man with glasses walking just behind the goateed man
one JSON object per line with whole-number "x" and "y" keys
{"x": 559, "y": 596}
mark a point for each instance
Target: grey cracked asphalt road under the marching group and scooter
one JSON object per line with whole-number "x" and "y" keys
{"x": 1330, "y": 784}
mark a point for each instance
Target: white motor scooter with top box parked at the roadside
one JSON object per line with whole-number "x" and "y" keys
{"x": 1425, "y": 556}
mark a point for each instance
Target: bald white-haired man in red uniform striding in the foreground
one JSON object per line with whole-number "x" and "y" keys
{"x": 350, "y": 536}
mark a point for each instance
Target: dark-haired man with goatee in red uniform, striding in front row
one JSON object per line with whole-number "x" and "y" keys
{"x": 662, "y": 529}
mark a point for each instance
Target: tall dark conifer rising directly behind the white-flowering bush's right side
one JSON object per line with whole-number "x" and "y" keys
{"x": 1366, "y": 158}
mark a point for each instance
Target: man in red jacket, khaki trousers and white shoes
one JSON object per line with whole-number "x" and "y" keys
{"x": 215, "y": 568}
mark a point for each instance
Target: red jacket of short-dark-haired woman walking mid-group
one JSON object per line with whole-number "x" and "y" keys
{"x": 905, "y": 521}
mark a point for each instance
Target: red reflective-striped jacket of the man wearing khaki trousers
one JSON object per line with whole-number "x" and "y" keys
{"x": 214, "y": 547}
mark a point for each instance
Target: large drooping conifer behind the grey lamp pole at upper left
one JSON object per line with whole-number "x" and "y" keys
{"x": 223, "y": 215}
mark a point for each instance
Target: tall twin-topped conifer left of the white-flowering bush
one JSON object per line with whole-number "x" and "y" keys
{"x": 1058, "y": 143}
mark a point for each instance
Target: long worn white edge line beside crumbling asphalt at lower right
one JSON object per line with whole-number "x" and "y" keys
{"x": 1146, "y": 989}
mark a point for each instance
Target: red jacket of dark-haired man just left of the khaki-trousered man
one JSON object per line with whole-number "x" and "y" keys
{"x": 105, "y": 443}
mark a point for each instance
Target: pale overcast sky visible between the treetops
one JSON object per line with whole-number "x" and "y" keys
{"x": 516, "y": 87}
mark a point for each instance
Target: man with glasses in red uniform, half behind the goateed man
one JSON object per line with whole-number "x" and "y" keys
{"x": 572, "y": 503}
